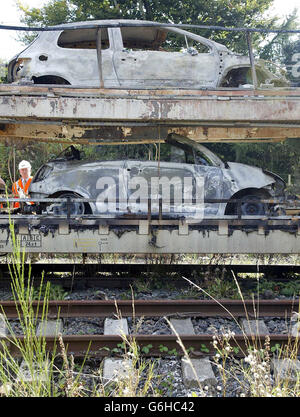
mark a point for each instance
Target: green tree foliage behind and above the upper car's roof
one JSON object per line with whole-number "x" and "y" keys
{"x": 234, "y": 13}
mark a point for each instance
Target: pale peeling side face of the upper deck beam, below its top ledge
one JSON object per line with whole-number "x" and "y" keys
{"x": 176, "y": 110}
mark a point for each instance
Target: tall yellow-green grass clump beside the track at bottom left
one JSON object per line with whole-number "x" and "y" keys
{"x": 33, "y": 376}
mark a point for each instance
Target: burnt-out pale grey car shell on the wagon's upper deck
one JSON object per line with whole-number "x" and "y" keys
{"x": 135, "y": 57}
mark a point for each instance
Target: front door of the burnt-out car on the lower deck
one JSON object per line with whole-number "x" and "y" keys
{"x": 169, "y": 179}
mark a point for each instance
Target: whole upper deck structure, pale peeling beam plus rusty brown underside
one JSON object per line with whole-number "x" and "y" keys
{"x": 99, "y": 116}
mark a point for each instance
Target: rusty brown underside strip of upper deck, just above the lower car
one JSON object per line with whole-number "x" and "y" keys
{"x": 118, "y": 134}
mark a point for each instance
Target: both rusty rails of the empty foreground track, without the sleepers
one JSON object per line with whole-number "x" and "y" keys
{"x": 200, "y": 345}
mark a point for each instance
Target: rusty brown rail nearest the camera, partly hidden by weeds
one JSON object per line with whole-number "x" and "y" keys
{"x": 157, "y": 345}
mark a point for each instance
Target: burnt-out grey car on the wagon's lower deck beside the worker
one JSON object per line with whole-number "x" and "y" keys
{"x": 185, "y": 175}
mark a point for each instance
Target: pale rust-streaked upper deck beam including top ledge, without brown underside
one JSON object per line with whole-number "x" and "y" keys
{"x": 156, "y": 105}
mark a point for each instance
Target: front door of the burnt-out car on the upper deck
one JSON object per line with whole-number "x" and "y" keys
{"x": 139, "y": 65}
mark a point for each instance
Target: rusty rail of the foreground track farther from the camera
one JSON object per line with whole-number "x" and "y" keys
{"x": 156, "y": 308}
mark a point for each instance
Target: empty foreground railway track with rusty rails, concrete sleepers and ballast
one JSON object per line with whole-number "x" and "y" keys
{"x": 181, "y": 332}
